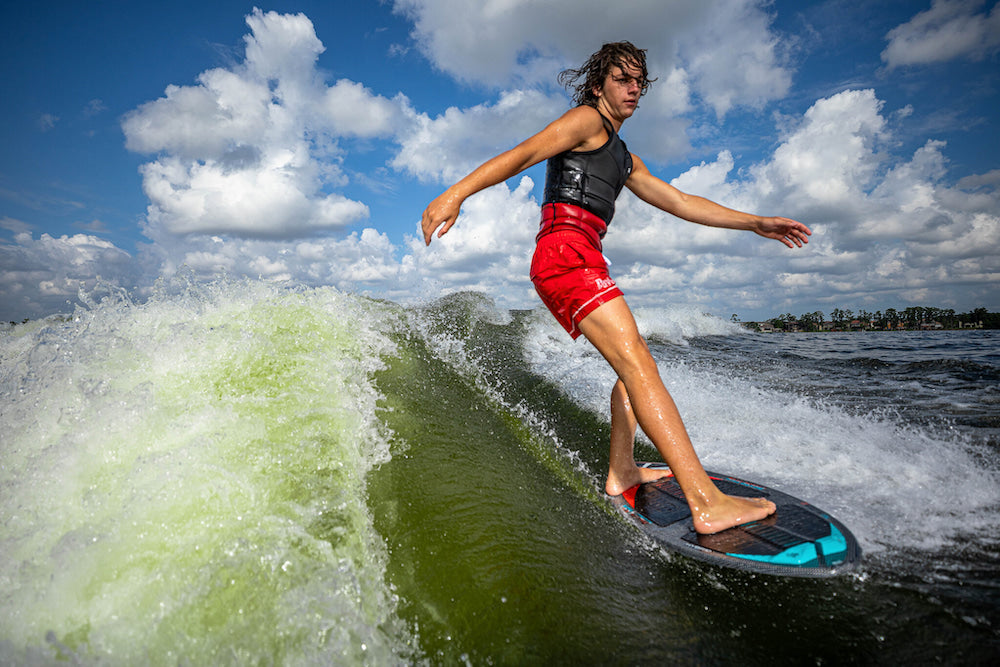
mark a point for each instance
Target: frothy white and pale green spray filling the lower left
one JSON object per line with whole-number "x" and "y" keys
{"x": 183, "y": 481}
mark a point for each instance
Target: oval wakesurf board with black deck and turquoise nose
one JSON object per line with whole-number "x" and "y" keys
{"x": 797, "y": 540}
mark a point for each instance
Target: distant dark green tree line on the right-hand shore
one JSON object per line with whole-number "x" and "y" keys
{"x": 910, "y": 319}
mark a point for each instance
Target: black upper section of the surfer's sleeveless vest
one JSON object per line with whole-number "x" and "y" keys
{"x": 591, "y": 180}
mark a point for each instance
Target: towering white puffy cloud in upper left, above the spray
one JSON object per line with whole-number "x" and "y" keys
{"x": 252, "y": 151}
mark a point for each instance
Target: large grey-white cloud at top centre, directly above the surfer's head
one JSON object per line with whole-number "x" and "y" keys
{"x": 518, "y": 43}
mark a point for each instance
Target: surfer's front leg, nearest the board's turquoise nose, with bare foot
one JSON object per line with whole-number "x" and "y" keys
{"x": 612, "y": 330}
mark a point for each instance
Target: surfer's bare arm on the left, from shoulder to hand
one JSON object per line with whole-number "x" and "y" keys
{"x": 569, "y": 131}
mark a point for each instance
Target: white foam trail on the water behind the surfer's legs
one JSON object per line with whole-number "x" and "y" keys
{"x": 897, "y": 486}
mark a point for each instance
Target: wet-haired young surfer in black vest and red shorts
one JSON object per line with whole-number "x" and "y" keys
{"x": 588, "y": 166}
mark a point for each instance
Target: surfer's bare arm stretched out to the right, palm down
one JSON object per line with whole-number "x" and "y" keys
{"x": 693, "y": 208}
